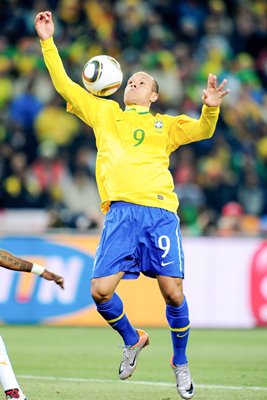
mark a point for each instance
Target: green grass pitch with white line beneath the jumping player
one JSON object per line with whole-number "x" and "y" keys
{"x": 66, "y": 363}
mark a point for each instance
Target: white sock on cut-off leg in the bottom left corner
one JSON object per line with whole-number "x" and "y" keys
{"x": 7, "y": 377}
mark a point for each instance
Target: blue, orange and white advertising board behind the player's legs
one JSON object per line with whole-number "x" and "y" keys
{"x": 225, "y": 284}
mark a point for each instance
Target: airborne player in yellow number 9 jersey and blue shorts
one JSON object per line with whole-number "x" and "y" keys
{"x": 141, "y": 232}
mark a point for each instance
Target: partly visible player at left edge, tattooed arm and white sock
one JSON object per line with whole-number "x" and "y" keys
{"x": 8, "y": 379}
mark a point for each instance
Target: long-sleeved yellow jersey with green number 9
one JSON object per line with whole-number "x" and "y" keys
{"x": 133, "y": 146}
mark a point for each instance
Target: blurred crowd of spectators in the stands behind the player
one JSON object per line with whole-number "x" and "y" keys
{"x": 47, "y": 156}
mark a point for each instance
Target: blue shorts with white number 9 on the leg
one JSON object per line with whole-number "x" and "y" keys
{"x": 139, "y": 239}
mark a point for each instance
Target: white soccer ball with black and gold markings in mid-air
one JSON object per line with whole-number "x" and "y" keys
{"x": 102, "y": 75}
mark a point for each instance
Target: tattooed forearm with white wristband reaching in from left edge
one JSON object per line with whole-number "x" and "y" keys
{"x": 9, "y": 261}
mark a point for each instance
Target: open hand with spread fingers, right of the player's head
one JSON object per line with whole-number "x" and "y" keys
{"x": 213, "y": 95}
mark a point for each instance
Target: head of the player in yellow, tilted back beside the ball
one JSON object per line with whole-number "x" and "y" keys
{"x": 142, "y": 89}
